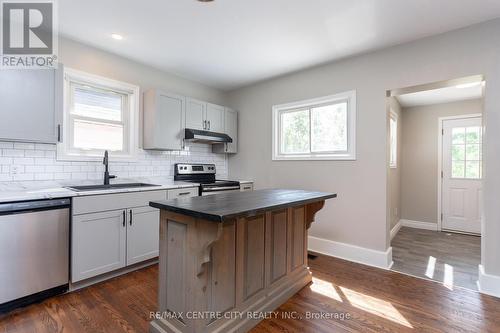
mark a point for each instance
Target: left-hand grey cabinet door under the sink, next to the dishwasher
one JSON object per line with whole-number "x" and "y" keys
{"x": 98, "y": 244}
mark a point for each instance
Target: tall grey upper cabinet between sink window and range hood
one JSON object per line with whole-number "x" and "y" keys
{"x": 164, "y": 118}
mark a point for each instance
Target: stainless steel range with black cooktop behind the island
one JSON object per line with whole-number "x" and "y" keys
{"x": 205, "y": 175}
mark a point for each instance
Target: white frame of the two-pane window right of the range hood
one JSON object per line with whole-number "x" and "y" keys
{"x": 349, "y": 154}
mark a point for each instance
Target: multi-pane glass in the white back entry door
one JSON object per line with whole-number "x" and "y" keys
{"x": 466, "y": 157}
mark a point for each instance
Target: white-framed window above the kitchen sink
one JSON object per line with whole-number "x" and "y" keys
{"x": 99, "y": 114}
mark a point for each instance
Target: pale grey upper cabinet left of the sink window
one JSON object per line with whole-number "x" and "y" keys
{"x": 31, "y": 105}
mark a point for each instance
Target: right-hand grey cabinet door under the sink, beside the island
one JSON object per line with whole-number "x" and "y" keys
{"x": 143, "y": 232}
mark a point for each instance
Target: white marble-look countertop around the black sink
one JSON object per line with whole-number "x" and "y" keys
{"x": 10, "y": 192}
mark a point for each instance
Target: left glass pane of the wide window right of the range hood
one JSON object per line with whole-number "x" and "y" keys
{"x": 295, "y": 132}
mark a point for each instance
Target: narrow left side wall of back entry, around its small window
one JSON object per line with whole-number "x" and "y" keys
{"x": 394, "y": 174}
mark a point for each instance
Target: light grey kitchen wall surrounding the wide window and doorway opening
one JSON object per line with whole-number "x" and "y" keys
{"x": 358, "y": 215}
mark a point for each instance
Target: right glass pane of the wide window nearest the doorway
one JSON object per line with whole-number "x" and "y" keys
{"x": 329, "y": 128}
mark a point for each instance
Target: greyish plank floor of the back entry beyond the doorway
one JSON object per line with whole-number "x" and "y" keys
{"x": 431, "y": 254}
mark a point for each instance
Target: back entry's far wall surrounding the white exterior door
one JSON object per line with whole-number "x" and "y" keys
{"x": 419, "y": 195}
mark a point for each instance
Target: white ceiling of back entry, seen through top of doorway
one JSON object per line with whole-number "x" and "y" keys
{"x": 438, "y": 96}
